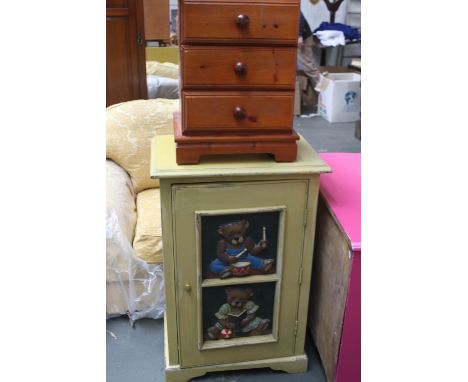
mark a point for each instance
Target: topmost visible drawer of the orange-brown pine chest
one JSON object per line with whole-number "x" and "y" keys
{"x": 239, "y": 22}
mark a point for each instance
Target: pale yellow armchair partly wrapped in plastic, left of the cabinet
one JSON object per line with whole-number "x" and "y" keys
{"x": 134, "y": 277}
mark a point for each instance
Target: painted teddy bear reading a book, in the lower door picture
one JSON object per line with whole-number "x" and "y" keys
{"x": 238, "y": 315}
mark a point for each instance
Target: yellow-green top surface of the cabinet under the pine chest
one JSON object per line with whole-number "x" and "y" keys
{"x": 163, "y": 162}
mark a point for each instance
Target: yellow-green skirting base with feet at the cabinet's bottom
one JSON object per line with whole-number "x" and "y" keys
{"x": 294, "y": 364}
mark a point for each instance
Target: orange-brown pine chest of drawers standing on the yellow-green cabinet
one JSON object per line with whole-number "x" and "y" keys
{"x": 238, "y": 67}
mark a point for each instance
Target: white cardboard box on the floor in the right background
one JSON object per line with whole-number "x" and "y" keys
{"x": 340, "y": 97}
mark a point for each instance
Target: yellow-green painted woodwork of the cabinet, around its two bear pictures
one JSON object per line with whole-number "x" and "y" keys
{"x": 250, "y": 183}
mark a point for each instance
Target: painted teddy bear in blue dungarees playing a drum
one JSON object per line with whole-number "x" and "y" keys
{"x": 237, "y": 246}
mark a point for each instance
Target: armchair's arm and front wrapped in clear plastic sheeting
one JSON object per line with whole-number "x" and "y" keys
{"x": 133, "y": 286}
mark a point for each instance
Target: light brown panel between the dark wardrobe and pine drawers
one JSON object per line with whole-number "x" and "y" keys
{"x": 156, "y": 13}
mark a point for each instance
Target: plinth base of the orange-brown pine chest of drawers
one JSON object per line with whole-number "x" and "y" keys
{"x": 189, "y": 149}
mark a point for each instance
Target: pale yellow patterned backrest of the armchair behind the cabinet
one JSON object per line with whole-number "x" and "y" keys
{"x": 130, "y": 128}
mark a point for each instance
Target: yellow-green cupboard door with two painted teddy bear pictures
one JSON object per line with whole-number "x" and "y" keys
{"x": 238, "y": 254}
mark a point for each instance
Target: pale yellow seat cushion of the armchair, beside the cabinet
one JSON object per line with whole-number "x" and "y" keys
{"x": 148, "y": 236}
